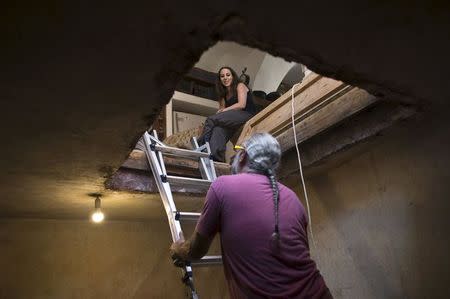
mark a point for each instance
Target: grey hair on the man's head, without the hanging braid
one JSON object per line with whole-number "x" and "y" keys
{"x": 263, "y": 153}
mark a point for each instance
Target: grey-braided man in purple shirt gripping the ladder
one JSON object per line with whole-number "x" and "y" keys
{"x": 262, "y": 227}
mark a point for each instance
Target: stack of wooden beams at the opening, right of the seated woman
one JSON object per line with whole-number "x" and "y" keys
{"x": 319, "y": 103}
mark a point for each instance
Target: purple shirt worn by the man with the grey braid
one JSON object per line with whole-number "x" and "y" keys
{"x": 241, "y": 208}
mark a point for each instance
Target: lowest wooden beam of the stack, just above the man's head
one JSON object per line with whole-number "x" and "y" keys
{"x": 333, "y": 112}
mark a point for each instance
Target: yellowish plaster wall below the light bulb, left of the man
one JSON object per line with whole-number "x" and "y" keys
{"x": 78, "y": 259}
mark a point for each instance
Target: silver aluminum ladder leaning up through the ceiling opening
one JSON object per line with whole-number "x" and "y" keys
{"x": 155, "y": 150}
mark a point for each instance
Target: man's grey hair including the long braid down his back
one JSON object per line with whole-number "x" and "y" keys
{"x": 264, "y": 154}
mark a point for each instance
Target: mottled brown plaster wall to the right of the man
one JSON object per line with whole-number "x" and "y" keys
{"x": 381, "y": 218}
